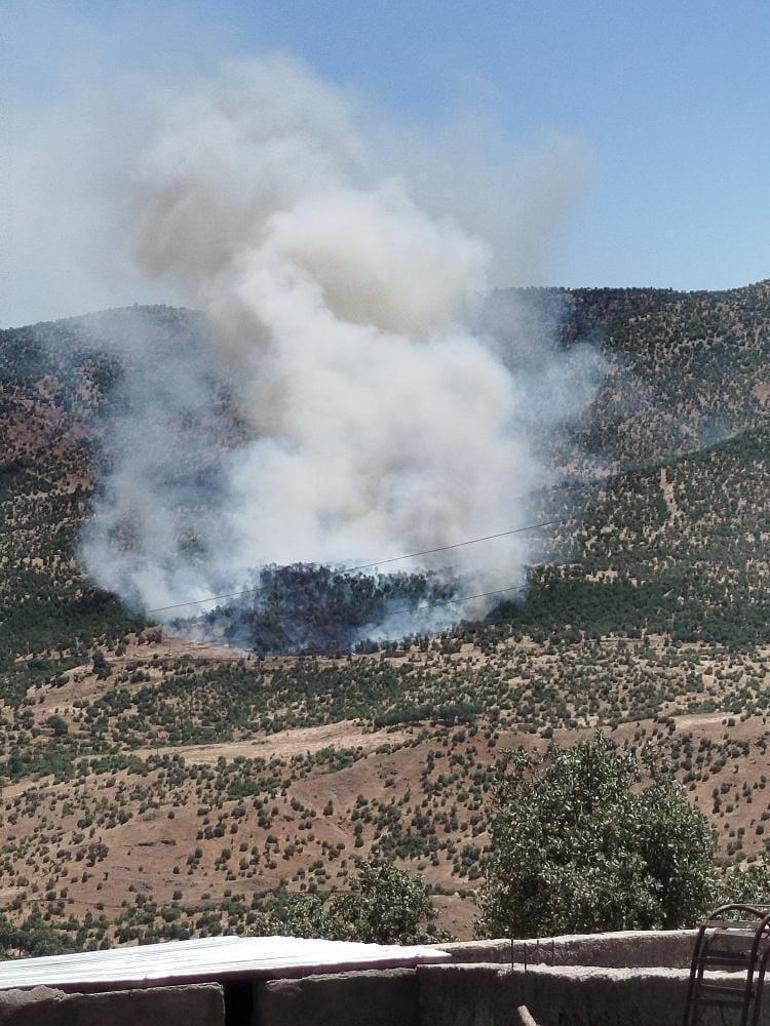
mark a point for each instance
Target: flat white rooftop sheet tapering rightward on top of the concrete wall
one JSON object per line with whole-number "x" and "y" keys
{"x": 211, "y": 959}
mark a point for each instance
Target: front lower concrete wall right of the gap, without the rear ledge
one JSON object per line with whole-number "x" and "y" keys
{"x": 484, "y": 996}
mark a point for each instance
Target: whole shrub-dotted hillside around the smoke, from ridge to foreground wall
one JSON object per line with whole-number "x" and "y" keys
{"x": 130, "y": 779}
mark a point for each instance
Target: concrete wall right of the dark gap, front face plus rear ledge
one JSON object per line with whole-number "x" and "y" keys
{"x": 601, "y": 980}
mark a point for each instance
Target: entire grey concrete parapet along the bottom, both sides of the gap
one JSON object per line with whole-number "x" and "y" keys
{"x": 617, "y": 985}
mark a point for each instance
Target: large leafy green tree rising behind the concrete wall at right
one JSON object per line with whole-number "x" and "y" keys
{"x": 581, "y": 846}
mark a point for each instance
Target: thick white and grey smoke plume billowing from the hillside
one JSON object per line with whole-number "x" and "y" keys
{"x": 371, "y": 418}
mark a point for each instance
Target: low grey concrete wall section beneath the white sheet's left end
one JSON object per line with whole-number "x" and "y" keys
{"x": 202, "y": 1005}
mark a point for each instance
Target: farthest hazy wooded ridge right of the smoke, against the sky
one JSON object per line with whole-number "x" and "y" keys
{"x": 686, "y": 370}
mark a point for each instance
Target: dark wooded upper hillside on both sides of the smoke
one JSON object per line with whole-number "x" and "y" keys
{"x": 684, "y": 402}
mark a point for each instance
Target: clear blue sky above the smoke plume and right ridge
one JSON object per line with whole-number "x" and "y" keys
{"x": 671, "y": 100}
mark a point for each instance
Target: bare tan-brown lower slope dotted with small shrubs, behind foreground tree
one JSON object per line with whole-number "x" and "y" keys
{"x": 197, "y": 824}
